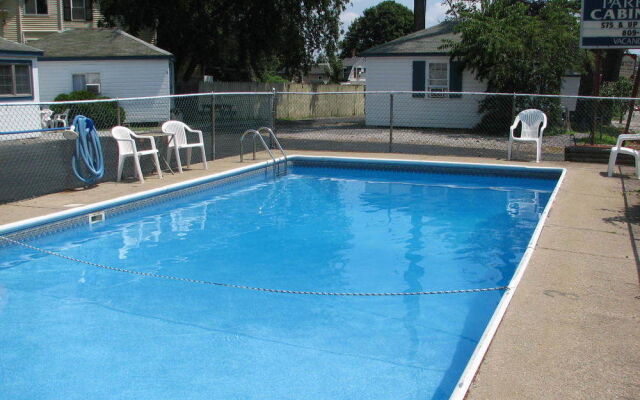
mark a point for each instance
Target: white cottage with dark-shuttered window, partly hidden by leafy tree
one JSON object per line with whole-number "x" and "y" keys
{"x": 417, "y": 62}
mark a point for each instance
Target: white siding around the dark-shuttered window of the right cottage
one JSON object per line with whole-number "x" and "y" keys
{"x": 395, "y": 73}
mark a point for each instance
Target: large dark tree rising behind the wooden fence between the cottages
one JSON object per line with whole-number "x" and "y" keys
{"x": 234, "y": 39}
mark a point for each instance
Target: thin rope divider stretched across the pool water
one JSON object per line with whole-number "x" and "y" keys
{"x": 231, "y": 285}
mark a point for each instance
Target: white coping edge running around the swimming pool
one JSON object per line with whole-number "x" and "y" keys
{"x": 463, "y": 384}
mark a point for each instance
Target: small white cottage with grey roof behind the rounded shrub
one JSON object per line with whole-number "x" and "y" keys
{"x": 108, "y": 62}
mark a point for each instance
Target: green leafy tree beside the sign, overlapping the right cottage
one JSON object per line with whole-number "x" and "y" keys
{"x": 518, "y": 47}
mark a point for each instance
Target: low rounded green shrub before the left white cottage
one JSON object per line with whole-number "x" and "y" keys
{"x": 104, "y": 115}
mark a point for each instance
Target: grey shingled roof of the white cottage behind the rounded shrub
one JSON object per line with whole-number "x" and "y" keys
{"x": 96, "y": 43}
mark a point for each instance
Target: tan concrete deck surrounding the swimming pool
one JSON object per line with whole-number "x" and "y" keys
{"x": 572, "y": 330}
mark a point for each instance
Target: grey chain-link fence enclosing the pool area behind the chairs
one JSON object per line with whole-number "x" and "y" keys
{"x": 35, "y": 156}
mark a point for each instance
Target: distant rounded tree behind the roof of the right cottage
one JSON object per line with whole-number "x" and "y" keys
{"x": 379, "y": 24}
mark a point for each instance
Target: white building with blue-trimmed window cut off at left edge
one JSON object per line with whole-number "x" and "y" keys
{"x": 18, "y": 84}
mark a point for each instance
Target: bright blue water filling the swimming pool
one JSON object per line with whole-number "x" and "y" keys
{"x": 72, "y": 331}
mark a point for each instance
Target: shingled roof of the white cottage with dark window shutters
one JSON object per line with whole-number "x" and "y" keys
{"x": 426, "y": 42}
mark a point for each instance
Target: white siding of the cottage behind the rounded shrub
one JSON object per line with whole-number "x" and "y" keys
{"x": 118, "y": 79}
